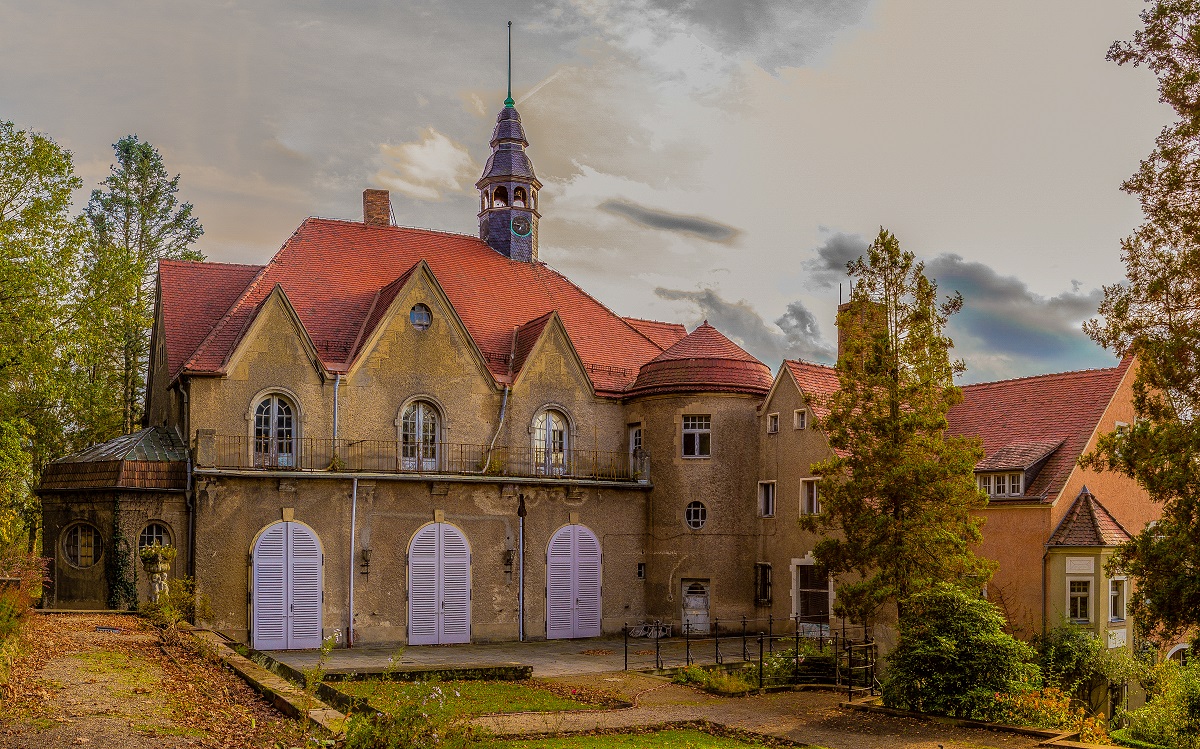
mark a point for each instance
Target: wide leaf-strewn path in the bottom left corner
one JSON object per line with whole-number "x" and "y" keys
{"x": 105, "y": 681}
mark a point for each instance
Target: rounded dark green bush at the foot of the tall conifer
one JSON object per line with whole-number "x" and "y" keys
{"x": 955, "y": 657}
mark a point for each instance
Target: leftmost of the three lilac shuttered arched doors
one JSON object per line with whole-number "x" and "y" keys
{"x": 286, "y": 595}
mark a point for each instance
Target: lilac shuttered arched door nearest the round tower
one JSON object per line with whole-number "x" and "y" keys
{"x": 573, "y": 584}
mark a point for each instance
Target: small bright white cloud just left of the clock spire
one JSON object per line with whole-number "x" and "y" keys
{"x": 428, "y": 169}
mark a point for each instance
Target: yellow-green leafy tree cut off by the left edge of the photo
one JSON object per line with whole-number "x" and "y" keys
{"x": 40, "y": 245}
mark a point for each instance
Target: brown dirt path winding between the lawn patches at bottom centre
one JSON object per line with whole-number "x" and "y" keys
{"x": 808, "y": 717}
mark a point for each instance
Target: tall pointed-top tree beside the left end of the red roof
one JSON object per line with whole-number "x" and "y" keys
{"x": 136, "y": 221}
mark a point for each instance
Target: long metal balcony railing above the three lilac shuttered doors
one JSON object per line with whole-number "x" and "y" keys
{"x": 242, "y": 453}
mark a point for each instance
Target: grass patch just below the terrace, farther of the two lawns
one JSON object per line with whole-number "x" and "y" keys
{"x": 463, "y": 698}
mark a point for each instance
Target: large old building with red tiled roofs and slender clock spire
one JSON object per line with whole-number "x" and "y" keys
{"x": 395, "y": 435}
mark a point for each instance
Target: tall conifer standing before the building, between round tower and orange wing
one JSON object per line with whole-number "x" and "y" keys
{"x": 897, "y": 495}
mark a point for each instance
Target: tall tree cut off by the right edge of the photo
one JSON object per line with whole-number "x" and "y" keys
{"x": 1155, "y": 316}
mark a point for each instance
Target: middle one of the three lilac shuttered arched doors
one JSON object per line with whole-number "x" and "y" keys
{"x": 439, "y": 586}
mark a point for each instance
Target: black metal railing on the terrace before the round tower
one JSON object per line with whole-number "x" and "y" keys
{"x": 769, "y": 652}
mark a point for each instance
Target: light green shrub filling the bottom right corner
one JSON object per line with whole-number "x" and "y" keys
{"x": 1172, "y": 717}
